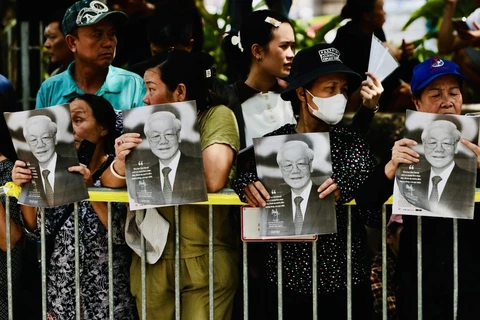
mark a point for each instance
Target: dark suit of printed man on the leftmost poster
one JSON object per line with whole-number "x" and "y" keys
{"x": 69, "y": 187}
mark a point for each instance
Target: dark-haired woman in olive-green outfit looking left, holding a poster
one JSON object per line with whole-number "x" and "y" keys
{"x": 189, "y": 76}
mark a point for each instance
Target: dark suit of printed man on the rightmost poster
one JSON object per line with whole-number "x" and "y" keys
{"x": 457, "y": 198}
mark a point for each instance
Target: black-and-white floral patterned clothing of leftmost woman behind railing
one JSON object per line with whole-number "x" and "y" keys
{"x": 93, "y": 264}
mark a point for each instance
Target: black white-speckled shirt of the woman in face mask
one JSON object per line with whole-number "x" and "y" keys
{"x": 352, "y": 163}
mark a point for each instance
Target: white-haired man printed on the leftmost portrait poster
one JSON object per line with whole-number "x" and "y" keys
{"x": 52, "y": 184}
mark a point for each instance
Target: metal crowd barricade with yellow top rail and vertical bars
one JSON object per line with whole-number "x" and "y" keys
{"x": 224, "y": 197}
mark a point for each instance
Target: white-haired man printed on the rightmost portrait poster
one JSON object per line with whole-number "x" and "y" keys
{"x": 441, "y": 190}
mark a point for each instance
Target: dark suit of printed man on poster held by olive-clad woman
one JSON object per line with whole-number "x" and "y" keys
{"x": 189, "y": 185}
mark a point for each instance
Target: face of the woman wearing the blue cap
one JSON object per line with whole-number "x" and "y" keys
{"x": 441, "y": 96}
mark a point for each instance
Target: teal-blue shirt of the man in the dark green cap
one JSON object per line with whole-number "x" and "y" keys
{"x": 123, "y": 89}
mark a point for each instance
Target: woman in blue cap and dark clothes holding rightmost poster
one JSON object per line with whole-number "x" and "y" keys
{"x": 436, "y": 88}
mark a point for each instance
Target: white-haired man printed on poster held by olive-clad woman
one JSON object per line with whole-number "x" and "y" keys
{"x": 176, "y": 178}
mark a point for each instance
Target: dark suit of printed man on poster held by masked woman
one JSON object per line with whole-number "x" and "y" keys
{"x": 319, "y": 217}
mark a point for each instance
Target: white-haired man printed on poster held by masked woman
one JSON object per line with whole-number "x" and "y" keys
{"x": 304, "y": 212}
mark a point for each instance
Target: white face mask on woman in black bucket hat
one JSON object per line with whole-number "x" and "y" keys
{"x": 330, "y": 110}
